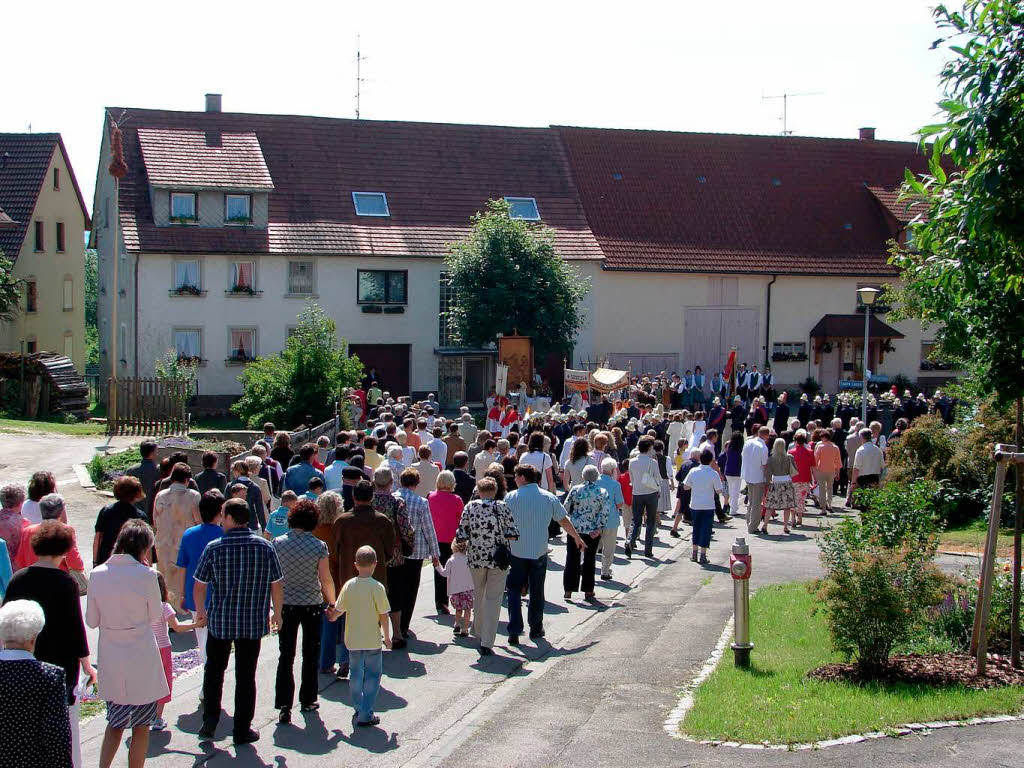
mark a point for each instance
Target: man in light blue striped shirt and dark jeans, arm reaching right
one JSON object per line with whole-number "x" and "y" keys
{"x": 533, "y": 508}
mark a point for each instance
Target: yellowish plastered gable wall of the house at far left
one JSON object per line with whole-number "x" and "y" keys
{"x": 53, "y": 323}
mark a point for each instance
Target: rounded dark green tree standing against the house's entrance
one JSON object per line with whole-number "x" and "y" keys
{"x": 507, "y": 278}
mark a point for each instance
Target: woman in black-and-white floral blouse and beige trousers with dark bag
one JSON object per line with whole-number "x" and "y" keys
{"x": 487, "y": 527}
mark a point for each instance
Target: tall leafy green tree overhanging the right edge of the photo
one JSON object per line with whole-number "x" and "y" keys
{"x": 967, "y": 269}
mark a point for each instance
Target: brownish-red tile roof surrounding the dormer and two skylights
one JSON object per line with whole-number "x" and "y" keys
{"x": 436, "y": 177}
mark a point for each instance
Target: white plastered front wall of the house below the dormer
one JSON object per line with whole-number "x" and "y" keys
{"x": 274, "y": 312}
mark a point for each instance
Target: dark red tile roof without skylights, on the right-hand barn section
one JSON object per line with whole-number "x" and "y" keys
{"x": 696, "y": 203}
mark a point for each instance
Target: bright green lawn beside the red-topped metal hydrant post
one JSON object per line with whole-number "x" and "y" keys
{"x": 775, "y": 702}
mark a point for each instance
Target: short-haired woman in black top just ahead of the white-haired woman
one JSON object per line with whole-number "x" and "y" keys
{"x": 63, "y": 642}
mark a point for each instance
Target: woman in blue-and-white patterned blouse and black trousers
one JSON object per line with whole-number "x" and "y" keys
{"x": 587, "y": 507}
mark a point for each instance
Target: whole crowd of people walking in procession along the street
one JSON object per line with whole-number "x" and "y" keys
{"x": 331, "y": 539}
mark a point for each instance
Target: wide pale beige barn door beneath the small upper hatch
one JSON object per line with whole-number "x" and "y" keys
{"x": 711, "y": 332}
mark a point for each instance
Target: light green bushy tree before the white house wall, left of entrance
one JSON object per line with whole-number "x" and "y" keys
{"x": 307, "y": 378}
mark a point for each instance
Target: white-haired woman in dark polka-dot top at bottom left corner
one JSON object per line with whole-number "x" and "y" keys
{"x": 33, "y": 695}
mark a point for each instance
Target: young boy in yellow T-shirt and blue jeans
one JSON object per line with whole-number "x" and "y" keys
{"x": 364, "y": 600}
